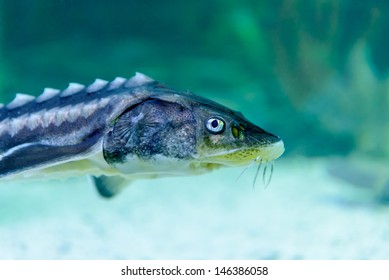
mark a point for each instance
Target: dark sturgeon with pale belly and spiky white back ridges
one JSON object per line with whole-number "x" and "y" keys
{"x": 122, "y": 130}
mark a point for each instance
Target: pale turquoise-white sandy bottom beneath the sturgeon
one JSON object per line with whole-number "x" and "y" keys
{"x": 304, "y": 214}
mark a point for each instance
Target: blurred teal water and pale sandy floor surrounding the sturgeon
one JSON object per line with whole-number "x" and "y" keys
{"x": 314, "y": 72}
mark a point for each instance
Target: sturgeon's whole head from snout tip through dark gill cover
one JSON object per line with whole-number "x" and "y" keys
{"x": 174, "y": 133}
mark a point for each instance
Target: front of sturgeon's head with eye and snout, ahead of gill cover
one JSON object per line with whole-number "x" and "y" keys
{"x": 226, "y": 138}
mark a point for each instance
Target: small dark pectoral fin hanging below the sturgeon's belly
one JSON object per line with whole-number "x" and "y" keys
{"x": 109, "y": 186}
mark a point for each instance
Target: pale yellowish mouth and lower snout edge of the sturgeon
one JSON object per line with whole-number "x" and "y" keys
{"x": 244, "y": 156}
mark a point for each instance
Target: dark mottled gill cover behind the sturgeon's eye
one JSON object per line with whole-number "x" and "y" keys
{"x": 149, "y": 129}
